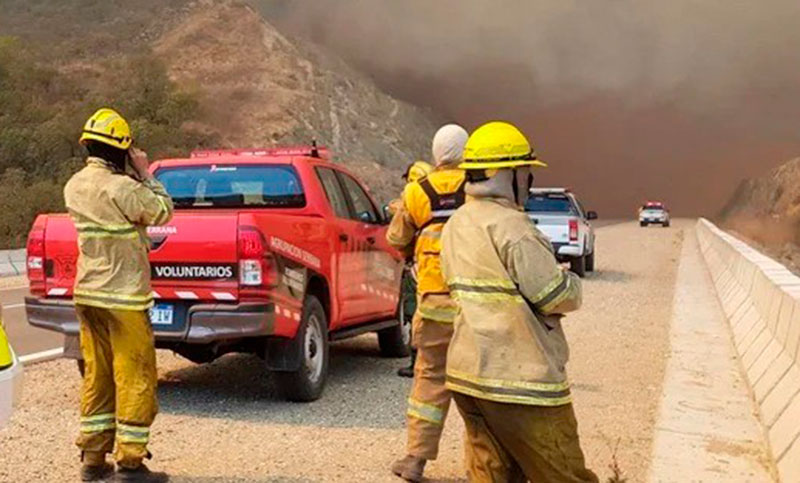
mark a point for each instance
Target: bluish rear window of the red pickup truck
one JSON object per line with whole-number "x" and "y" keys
{"x": 276, "y": 186}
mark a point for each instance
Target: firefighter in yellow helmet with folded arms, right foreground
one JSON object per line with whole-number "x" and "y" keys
{"x": 507, "y": 357}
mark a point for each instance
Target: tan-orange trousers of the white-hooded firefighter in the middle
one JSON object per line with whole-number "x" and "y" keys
{"x": 429, "y": 399}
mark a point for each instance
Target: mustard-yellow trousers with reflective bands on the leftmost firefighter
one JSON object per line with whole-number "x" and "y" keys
{"x": 118, "y": 397}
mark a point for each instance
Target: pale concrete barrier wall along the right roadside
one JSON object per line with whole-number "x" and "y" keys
{"x": 761, "y": 299}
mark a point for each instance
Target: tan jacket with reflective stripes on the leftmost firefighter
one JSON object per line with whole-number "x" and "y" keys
{"x": 111, "y": 212}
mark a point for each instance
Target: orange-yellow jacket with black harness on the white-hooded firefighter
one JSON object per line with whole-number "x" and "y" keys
{"x": 427, "y": 204}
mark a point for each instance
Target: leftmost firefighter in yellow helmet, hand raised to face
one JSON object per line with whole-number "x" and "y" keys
{"x": 111, "y": 202}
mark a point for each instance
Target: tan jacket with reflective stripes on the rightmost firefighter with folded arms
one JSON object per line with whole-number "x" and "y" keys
{"x": 508, "y": 345}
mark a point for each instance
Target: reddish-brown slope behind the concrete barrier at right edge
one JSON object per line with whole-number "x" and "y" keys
{"x": 766, "y": 210}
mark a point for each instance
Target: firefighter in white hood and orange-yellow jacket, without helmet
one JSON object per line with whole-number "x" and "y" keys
{"x": 427, "y": 205}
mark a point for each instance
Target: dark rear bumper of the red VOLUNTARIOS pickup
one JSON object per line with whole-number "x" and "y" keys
{"x": 201, "y": 324}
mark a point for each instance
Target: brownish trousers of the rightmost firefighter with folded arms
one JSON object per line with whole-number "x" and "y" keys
{"x": 518, "y": 443}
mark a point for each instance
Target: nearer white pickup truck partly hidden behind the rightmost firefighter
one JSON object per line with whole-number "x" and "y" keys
{"x": 560, "y": 216}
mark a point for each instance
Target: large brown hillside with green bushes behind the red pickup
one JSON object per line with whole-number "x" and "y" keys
{"x": 210, "y": 73}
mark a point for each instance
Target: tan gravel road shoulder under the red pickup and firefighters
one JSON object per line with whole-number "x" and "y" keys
{"x": 223, "y": 421}
